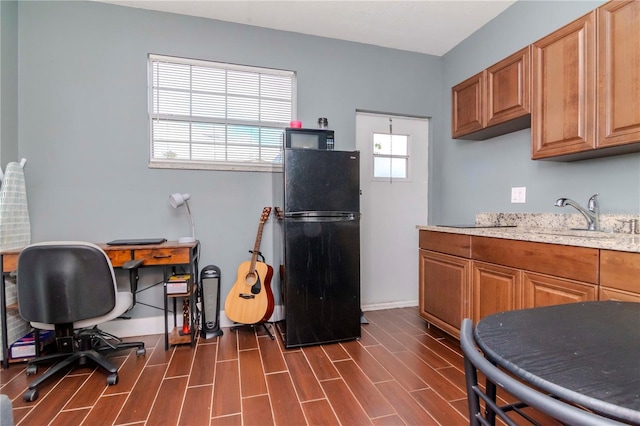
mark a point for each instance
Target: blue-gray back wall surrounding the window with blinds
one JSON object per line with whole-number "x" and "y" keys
{"x": 84, "y": 124}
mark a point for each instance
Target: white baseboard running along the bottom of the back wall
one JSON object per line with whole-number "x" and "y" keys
{"x": 155, "y": 325}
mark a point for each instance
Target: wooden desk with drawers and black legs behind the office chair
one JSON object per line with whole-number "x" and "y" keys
{"x": 168, "y": 255}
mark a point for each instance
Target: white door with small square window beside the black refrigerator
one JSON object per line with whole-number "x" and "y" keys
{"x": 391, "y": 207}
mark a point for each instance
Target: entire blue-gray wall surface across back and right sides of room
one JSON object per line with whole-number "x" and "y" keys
{"x": 83, "y": 126}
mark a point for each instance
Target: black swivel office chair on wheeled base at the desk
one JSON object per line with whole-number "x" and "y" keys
{"x": 70, "y": 287}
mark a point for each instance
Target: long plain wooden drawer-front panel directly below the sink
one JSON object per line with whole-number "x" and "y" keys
{"x": 577, "y": 263}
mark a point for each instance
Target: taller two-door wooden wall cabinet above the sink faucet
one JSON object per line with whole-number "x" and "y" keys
{"x": 586, "y": 86}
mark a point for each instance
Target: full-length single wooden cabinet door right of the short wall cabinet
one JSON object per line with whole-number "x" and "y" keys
{"x": 564, "y": 88}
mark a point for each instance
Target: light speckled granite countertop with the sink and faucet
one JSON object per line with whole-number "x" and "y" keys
{"x": 593, "y": 239}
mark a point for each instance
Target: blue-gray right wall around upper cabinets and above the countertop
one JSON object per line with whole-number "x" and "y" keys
{"x": 470, "y": 177}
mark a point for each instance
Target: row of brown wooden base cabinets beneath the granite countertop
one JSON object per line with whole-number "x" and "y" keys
{"x": 463, "y": 276}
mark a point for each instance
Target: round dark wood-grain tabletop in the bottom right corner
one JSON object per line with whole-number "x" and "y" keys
{"x": 584, "y": 353}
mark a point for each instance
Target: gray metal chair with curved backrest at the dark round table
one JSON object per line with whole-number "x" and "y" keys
{"x": 474, "y": 361}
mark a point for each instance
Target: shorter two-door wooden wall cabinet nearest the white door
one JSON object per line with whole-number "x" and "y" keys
{"x": 495, "y": 101}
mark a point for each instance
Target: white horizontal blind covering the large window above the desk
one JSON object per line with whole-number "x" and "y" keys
{"x": 216, "y": 115}
